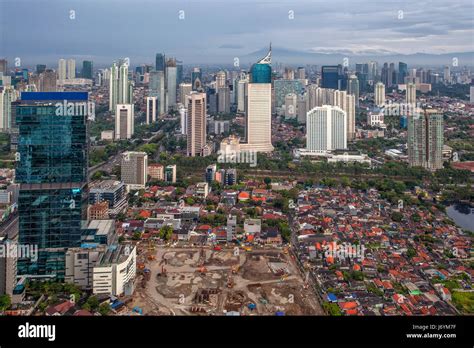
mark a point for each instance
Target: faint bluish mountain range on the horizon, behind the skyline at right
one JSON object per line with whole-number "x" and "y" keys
{"x": 331, "y": 57}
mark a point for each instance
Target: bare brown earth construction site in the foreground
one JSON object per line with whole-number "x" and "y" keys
{"x": 221, "y": 281}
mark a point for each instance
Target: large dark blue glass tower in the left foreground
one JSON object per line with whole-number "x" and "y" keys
{"x": 52, "y": 173}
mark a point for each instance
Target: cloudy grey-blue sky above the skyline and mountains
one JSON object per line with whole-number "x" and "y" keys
{"x": 198, "y": 31}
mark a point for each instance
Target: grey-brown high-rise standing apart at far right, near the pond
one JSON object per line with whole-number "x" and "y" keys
{"x": 426, "y": 139}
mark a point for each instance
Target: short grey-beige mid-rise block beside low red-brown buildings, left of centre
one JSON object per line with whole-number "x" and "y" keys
{"x": 134, "y": 169}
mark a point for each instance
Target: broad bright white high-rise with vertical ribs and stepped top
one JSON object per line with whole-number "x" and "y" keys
{"x": 326, "y": 129}
